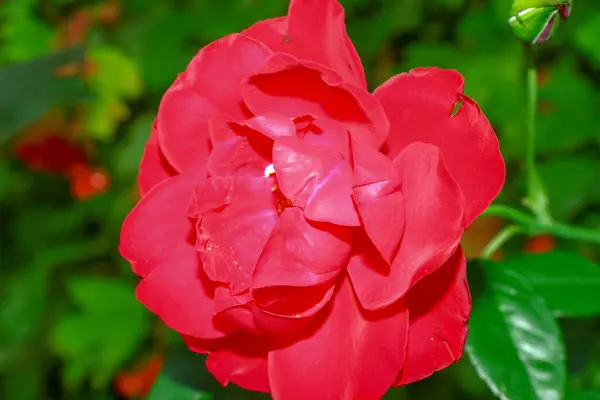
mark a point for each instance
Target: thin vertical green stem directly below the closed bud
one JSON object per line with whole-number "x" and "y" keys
{"x": 537, "y": 199}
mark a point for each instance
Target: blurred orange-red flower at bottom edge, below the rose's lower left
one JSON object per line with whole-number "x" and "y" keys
{"x": 137, "y": 383}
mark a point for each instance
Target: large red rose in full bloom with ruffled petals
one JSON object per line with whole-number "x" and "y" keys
{"x": 301, "y": 231}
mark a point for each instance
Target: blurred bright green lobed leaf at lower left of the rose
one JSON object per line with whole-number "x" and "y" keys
{"x": 108, "y": 329}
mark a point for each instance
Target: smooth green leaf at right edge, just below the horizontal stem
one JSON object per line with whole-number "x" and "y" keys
{"x": 569, "y": 284}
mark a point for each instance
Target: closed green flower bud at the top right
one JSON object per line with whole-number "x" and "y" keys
{"x": 535, "y": 21}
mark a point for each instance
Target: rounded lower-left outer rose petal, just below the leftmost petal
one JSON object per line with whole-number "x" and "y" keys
{"x": 181, "y": 296}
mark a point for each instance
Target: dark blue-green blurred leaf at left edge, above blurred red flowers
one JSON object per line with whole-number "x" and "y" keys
{"x": 30, "y": 89}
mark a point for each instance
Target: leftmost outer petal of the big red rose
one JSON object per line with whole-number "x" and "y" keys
{"x": 157, "y": 229}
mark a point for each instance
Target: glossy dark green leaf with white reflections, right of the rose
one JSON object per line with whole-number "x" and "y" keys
{"x": 514, "y": 341}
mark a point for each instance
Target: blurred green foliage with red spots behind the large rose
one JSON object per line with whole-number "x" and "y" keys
{"x": 80, "y": 82}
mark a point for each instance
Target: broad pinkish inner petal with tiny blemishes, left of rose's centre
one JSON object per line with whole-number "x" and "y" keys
{"x": 236, "y": 218}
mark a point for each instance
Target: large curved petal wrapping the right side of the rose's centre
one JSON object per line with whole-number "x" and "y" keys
{"x": 434, "y": 224}
